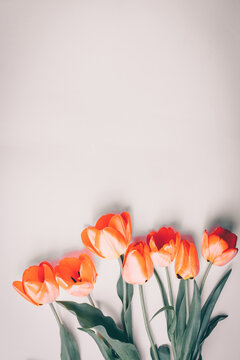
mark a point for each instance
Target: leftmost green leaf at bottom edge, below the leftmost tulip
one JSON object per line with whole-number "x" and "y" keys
{"x": 69, "y": 347}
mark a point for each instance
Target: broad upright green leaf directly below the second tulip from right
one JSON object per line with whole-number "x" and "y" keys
{"x": 193, "y": 325}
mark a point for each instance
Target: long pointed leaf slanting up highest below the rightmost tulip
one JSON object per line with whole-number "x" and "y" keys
{"x": 208, "y": 309}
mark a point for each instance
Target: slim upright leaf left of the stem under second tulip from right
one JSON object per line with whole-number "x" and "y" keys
{"x": 180, "y": 315}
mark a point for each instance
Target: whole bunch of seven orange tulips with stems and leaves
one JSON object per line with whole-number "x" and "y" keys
{"x": 189, "y": 321}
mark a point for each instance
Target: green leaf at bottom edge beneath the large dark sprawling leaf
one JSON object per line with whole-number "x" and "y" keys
{"x": 124, "y": 350}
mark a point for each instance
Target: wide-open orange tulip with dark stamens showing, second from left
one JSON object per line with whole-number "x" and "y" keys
{"x": 76, "y": 275}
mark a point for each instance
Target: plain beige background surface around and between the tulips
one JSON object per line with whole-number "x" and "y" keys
{"x": 110, "y": 105}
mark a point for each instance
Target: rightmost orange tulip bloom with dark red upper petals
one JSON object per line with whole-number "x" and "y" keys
{"x": 219, "y": 246}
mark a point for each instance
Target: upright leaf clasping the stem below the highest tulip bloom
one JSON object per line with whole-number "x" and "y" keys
{"x": 126, "y": 315}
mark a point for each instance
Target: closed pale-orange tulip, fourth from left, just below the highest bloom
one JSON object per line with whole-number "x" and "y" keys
{"x": 137, "y": 264}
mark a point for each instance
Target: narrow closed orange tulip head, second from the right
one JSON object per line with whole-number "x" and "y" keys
{"x": 187, "y": 264}
